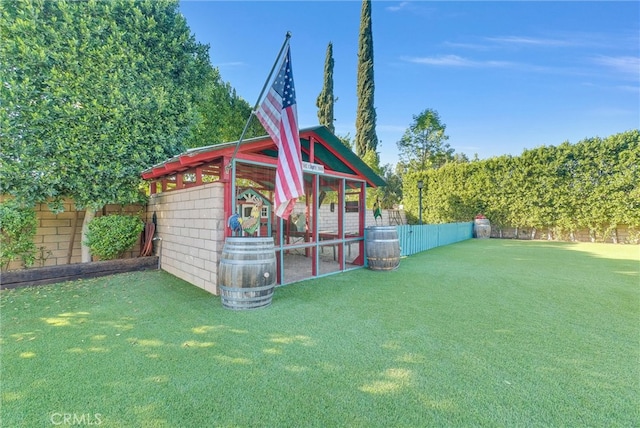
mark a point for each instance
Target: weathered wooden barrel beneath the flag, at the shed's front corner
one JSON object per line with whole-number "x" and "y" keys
{"x": 247, "y": 272}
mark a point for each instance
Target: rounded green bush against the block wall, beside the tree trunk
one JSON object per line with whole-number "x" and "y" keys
{"x": 109, "y": 236}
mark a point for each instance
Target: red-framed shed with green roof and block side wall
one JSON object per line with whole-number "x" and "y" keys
{"x": 195, "y": 193}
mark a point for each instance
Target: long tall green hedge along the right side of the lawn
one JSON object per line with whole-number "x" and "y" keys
{"x": 592, "y": 184}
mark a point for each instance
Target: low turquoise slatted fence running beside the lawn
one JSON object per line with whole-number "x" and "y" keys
{"x": 417, "y": 238}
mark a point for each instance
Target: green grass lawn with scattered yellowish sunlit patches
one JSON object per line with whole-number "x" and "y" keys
{"x": 480, "y": 333}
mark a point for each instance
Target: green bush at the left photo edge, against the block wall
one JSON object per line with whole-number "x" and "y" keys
{"x": 17, "y": 229}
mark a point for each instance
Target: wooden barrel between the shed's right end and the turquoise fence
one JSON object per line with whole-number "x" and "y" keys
{"x": 382, "y": 248}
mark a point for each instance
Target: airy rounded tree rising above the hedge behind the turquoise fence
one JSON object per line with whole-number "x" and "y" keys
{"x": 423, "y": 144}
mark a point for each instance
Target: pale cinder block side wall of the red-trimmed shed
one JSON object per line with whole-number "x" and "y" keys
{"x": 191, "y": 225}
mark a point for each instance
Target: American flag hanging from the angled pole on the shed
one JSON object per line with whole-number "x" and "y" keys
{"x": 279, "y": 116}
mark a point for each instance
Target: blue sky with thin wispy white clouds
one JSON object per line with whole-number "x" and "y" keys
{"x": 504, "y": 76}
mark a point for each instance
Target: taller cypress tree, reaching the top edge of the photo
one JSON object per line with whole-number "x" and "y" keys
{"x": 366, "y": 138}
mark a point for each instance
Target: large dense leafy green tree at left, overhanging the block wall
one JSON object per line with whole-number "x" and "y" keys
{"x": 93, "y": 93}
